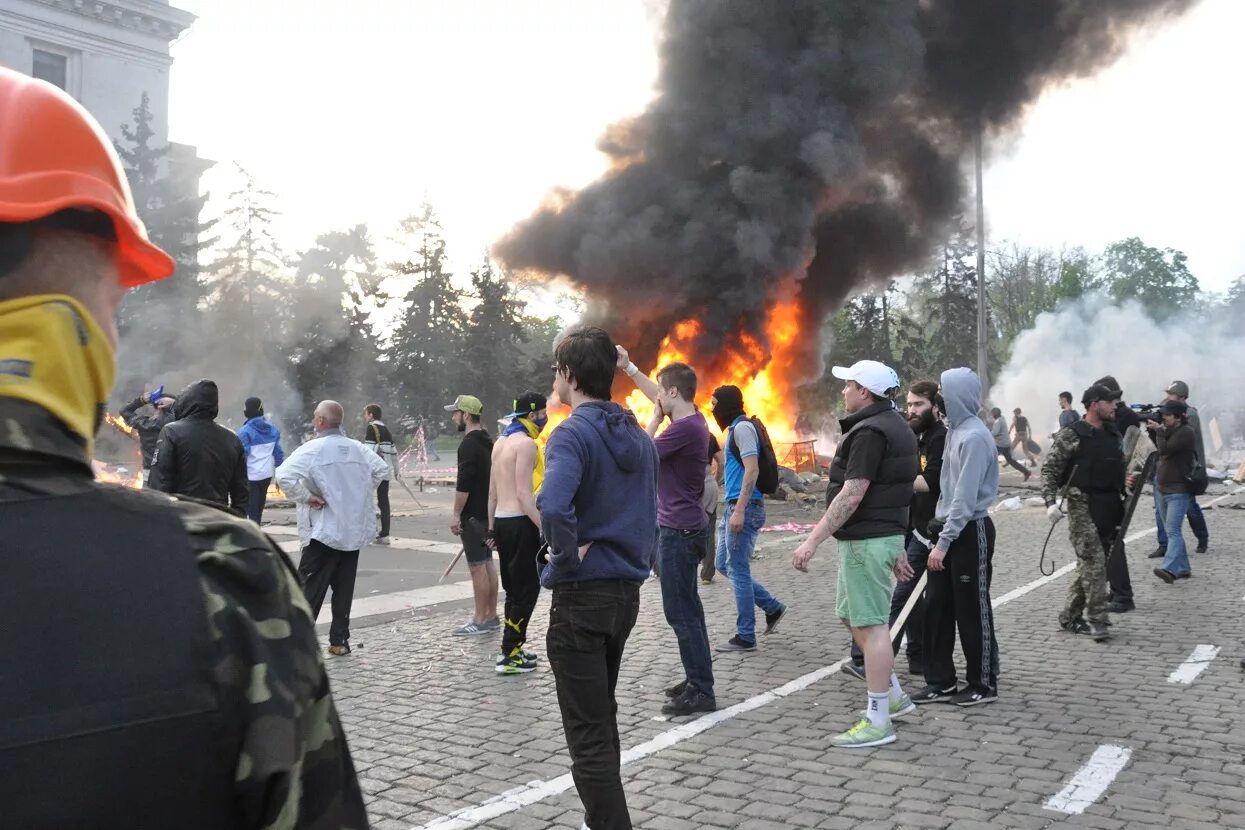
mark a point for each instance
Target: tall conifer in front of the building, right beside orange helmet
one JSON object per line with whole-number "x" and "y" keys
{"x": 171, "y": 207}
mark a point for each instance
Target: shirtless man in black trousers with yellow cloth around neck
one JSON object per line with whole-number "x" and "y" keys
{"x": 519, "y": 469}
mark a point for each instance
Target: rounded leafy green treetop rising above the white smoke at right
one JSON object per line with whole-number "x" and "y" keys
{"x": 1157, "y": 279}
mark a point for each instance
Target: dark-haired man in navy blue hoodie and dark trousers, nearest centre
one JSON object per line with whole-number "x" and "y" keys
{"x": 599, "y": 515}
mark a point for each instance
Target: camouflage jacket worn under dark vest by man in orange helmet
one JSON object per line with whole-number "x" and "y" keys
{"x": 291, "y": 765}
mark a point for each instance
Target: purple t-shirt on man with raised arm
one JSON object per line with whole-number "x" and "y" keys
{"x": 684, "y": 454}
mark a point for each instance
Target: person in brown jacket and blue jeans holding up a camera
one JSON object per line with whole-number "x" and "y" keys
{"x": 1177, "y": 454}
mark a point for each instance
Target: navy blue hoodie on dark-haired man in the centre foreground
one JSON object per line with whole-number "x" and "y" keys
{"x": 601, "y": 487}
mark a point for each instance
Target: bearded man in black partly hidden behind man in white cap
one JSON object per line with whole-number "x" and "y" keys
{"x": 926, "y": 413}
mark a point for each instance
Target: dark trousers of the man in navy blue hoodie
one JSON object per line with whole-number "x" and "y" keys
{"x": 590, "y": 624}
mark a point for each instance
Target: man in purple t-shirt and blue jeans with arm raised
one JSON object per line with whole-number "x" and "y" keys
{"x": 684, "y": 455}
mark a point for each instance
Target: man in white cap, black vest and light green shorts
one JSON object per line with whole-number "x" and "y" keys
{"x": 871, "y": 492}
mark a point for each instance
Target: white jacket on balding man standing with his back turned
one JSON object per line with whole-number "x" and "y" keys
{"x": 345, "y": 475}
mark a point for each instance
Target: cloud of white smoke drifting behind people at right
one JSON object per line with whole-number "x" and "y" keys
{"x": 1070, "y": 349}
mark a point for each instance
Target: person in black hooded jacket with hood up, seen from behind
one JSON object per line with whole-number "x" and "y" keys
{"x": 200, "y": 459}
